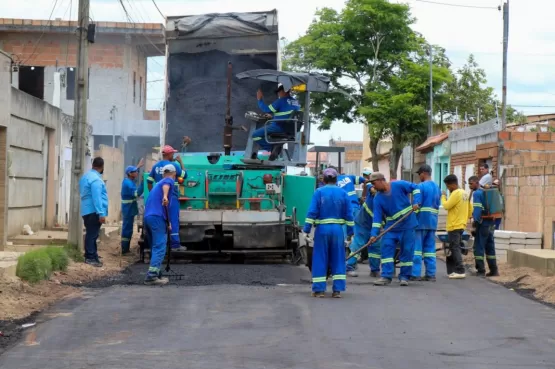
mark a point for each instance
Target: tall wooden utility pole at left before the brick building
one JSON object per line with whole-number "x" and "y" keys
{"x": 80, "y": 131}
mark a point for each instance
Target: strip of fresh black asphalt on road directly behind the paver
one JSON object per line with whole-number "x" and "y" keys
{"x": 214, "y": 274}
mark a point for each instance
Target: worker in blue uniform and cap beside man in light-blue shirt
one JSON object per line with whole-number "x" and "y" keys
{"x": 129, "y": 207}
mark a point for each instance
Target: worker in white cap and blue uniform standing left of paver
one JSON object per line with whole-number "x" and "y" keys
{"x": 157, "y": 224}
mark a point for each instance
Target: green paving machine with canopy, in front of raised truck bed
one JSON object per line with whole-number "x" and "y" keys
{"x": 232, "y": 205}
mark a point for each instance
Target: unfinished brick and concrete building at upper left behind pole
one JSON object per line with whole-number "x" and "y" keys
{"x": 45, "y": 59}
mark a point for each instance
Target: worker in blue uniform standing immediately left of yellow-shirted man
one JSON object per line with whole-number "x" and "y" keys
{"x": 425, "y": 245}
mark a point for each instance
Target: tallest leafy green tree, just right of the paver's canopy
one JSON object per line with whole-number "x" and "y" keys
{"x": 358, "y": 49}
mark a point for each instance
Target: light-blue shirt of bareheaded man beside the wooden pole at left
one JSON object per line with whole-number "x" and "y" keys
{"x": 94, "y": 197}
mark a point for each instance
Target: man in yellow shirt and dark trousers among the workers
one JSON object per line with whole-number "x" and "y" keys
{"x": 457, "y": 217}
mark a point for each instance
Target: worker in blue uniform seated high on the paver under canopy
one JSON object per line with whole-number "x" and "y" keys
{"x": 281, "y": 109}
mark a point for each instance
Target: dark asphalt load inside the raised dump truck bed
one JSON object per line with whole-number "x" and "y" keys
{"x": 197, "y": 102}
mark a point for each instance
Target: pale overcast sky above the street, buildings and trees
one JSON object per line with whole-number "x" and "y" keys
{"x": 459, "y": 30}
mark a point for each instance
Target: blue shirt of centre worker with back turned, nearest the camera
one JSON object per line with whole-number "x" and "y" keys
{"x": 330, "y": 205}
